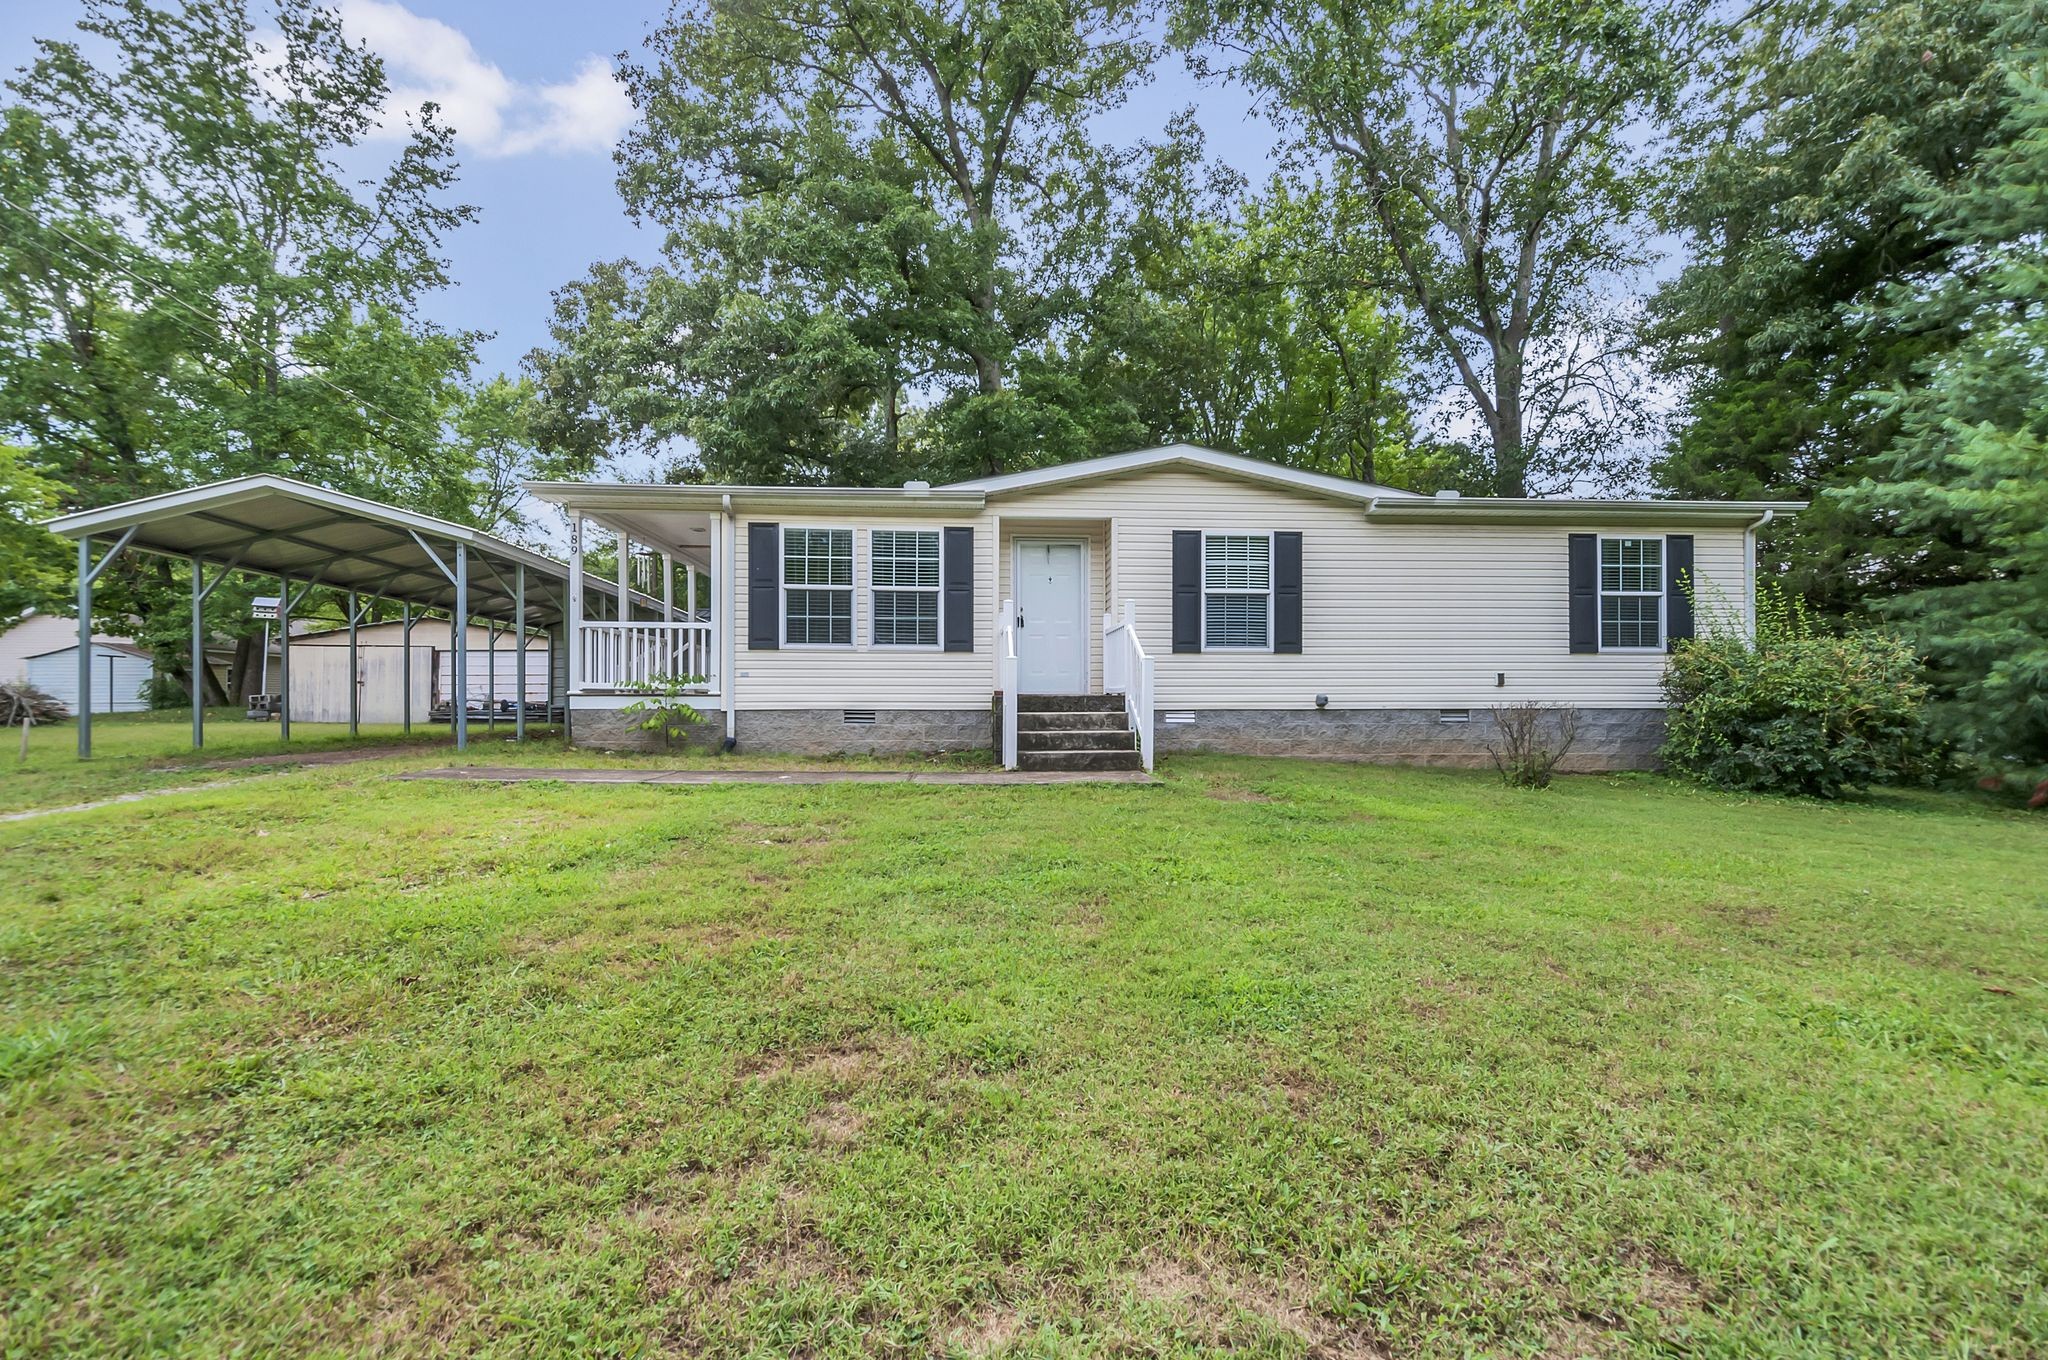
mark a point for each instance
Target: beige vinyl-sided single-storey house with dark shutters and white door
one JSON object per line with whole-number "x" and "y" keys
{"x": 1199, "y": 599}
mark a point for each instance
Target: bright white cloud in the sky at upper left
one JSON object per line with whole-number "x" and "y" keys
{"x": 493, "y": 114}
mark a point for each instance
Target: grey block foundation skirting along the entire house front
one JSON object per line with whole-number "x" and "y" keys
{"x": 1609, "y": 738}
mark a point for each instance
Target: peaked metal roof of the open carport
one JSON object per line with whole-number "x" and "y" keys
{"x": 284, "y": 527}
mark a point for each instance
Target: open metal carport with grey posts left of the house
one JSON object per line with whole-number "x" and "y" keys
{"x": 312, "y": 538}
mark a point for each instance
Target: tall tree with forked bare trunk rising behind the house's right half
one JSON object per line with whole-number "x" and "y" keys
{"x": 1490, "y": 146}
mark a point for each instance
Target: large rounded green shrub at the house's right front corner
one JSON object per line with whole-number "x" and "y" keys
{"x": 1791, "y": 710}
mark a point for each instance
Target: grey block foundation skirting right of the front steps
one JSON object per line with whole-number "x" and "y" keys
{"x": 1609, "y": 738}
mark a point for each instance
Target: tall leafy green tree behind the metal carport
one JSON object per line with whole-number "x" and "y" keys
{"x": 200, "y": 288}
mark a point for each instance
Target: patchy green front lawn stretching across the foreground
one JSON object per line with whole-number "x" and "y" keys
{"x": 1279, "y": 1058}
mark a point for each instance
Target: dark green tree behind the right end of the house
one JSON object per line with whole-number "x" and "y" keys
{"x": 1801, "y": 192}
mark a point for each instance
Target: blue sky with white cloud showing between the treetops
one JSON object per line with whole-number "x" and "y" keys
{"x": 525, "y": 85}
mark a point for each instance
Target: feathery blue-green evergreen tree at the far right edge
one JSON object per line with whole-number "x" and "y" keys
{"x": 1967, "y": 466}
